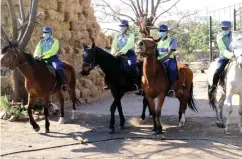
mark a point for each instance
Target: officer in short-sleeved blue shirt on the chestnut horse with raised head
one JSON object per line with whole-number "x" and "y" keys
{"x": 165, "y": 49}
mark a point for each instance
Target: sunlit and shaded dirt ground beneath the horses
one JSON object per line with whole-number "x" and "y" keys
{"x": 200, "y": 138}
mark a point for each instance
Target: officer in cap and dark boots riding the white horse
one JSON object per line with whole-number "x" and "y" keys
{"x": 224, "y": 39}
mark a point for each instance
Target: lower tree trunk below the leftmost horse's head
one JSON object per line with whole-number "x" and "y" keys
{"x": 19, "y": 91}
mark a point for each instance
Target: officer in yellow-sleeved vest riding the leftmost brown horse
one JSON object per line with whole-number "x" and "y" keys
{"x": 47, "y": 50}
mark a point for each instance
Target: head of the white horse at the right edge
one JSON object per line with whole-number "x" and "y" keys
{"x": 237, "y": 50}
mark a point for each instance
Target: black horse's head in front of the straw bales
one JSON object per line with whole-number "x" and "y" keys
{"x": 89, "y": 59}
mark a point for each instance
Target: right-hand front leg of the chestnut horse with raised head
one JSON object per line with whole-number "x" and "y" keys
{"x": 161, "y": 100}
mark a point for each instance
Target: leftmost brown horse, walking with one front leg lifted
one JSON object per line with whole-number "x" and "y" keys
{"x": 40, "y": 82}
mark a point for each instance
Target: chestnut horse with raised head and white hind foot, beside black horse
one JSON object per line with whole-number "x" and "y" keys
{"x": 155, "y": 83}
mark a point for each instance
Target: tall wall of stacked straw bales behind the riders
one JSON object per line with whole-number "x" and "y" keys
{"x": 73, "y": 23}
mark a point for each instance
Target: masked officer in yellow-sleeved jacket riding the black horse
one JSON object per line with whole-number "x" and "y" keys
{"x": 122, "y": 45}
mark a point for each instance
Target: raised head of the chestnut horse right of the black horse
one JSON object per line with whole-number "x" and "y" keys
{"x": 145, "y": 48}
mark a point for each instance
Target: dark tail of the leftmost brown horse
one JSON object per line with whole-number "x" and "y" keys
{"x": 72, "y": 92}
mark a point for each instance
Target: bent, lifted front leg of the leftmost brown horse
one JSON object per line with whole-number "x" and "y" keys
{"x": 31, "y": 101}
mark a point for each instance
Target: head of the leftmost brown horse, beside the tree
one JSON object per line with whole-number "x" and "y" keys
{"x": 11, "y": 56}
